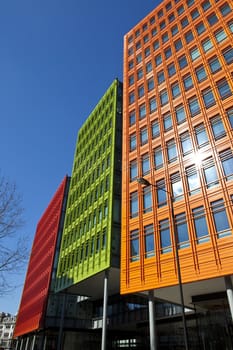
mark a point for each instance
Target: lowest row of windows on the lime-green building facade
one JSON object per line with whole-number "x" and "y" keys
{"x": 86, "y": 250}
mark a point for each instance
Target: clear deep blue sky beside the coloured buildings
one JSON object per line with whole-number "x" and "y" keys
{"x": 57, "y": 58}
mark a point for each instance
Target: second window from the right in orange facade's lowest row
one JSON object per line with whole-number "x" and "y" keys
{"x": 201, "y": 228}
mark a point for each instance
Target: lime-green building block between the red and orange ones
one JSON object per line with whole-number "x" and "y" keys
{"x": 91, "y": 236}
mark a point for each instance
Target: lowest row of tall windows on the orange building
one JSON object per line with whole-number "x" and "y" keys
{"x": 198, "y": 222}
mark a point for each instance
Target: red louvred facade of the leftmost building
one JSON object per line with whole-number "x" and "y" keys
{"x": 37, "y": 283}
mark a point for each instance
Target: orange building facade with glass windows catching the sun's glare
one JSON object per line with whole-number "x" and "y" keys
{"x": 178, "y": 135}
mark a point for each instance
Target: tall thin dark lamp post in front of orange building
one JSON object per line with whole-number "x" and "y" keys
{"x": 145, "y": 182}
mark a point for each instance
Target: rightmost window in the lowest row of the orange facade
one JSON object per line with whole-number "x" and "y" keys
{"x": 221, "y": 222}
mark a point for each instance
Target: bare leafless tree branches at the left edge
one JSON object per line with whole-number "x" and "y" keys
{"x": 13, "y": 249}
